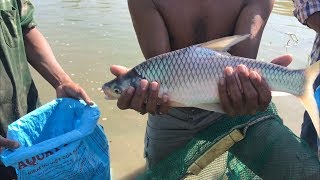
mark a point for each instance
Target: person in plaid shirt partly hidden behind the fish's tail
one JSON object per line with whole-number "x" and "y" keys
{"x": 308, "y": 13}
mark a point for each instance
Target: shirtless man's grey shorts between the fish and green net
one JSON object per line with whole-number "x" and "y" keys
{"x": 167, "y": 133}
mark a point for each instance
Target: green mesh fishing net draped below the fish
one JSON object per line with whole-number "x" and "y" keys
{"x": 241, "y": 148}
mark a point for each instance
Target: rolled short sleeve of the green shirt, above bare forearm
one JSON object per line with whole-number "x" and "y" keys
{"x": 26, "y": 15}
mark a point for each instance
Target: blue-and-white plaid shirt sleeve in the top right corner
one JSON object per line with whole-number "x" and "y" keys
{"x": 305, "y": 8}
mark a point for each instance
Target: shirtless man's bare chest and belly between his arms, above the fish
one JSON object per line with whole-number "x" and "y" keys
{"x": 195, "y": 21}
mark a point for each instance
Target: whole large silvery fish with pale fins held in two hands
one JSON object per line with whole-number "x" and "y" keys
{"x": 190, "y": 76}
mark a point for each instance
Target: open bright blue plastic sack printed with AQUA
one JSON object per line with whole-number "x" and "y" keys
{"x": 59, "y": 140}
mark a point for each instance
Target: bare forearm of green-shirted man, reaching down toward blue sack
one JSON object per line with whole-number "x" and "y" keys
{"x": 41, "y": 57}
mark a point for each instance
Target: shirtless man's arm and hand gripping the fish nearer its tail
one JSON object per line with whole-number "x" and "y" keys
{"x": 253, "y": 92}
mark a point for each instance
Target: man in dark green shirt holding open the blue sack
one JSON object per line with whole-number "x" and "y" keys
{"x": 20, "y": 43}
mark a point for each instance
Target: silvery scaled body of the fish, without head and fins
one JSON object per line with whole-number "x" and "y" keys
{"x": 197, "y": 70}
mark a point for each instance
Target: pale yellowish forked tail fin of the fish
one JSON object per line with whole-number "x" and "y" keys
{"x": 308, "y": 98}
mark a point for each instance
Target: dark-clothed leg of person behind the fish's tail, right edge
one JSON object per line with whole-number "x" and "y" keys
{"x": 308, "y": 132}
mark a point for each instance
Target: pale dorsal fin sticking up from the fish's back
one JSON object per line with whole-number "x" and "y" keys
{"x": 225, "y": 43}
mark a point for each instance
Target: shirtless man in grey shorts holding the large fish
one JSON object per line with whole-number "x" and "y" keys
{"x": 167, "y": 25}
